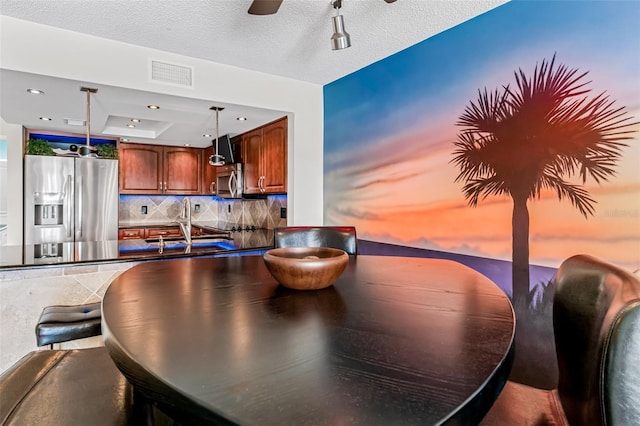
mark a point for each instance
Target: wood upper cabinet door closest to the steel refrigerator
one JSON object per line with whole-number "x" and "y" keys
{"x": 140, "y": 169}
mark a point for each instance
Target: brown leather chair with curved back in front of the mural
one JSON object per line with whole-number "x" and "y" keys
{"x": 596, "y": 322}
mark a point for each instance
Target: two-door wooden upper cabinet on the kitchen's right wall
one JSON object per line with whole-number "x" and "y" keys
{"x": 264, "y": 153}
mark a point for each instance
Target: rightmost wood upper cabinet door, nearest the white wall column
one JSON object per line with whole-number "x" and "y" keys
{"x": 274, "y": 157}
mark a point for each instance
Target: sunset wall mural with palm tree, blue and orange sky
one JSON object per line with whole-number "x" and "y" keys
{"x": 551, "y": 132}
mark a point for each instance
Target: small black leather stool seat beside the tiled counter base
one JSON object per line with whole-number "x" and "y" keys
{"x": 61, "y": 323}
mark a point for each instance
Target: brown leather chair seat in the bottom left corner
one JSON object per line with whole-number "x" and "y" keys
{"x": 69, "y": 387}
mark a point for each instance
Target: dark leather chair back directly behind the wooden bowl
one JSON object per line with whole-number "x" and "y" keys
{"x": 340, "y": 237}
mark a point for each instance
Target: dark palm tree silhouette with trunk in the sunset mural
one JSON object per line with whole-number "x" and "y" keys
{"x": 523, "y": 141}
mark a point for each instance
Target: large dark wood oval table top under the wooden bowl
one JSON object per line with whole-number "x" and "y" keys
{"x": 394, "y": 341}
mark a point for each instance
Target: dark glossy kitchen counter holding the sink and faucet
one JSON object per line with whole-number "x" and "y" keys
{"x": 116, "y": 250}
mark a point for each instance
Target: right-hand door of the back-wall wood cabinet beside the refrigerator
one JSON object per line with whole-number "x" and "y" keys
{"x": 182, "y": 170}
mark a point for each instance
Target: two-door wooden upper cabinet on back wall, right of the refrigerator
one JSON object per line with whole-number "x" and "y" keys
{"x": 155, "y": 169}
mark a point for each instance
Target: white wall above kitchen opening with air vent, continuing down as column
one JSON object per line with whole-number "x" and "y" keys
{"x": 39, "y": 49}
